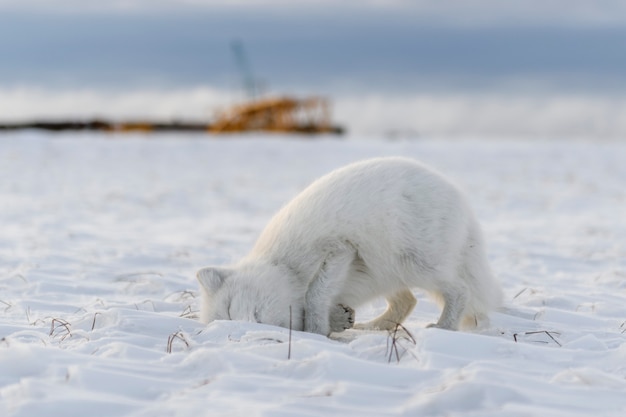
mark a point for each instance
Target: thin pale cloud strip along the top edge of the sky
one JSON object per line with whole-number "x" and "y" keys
{"x": 452, "y": 12}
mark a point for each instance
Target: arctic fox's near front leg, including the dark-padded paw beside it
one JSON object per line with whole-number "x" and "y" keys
{"x": 319, "y": 308}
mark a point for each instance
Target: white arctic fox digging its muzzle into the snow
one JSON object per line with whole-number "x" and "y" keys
{"x": 375, "y": 228}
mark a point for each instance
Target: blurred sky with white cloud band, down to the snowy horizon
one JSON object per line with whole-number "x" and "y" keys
{"x": 532, "y": 69}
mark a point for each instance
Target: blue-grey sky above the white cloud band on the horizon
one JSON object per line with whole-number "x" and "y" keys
{"x": 375, "y": 46}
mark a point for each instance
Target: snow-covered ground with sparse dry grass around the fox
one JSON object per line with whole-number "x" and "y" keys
{"x": 101, "y": 237}
